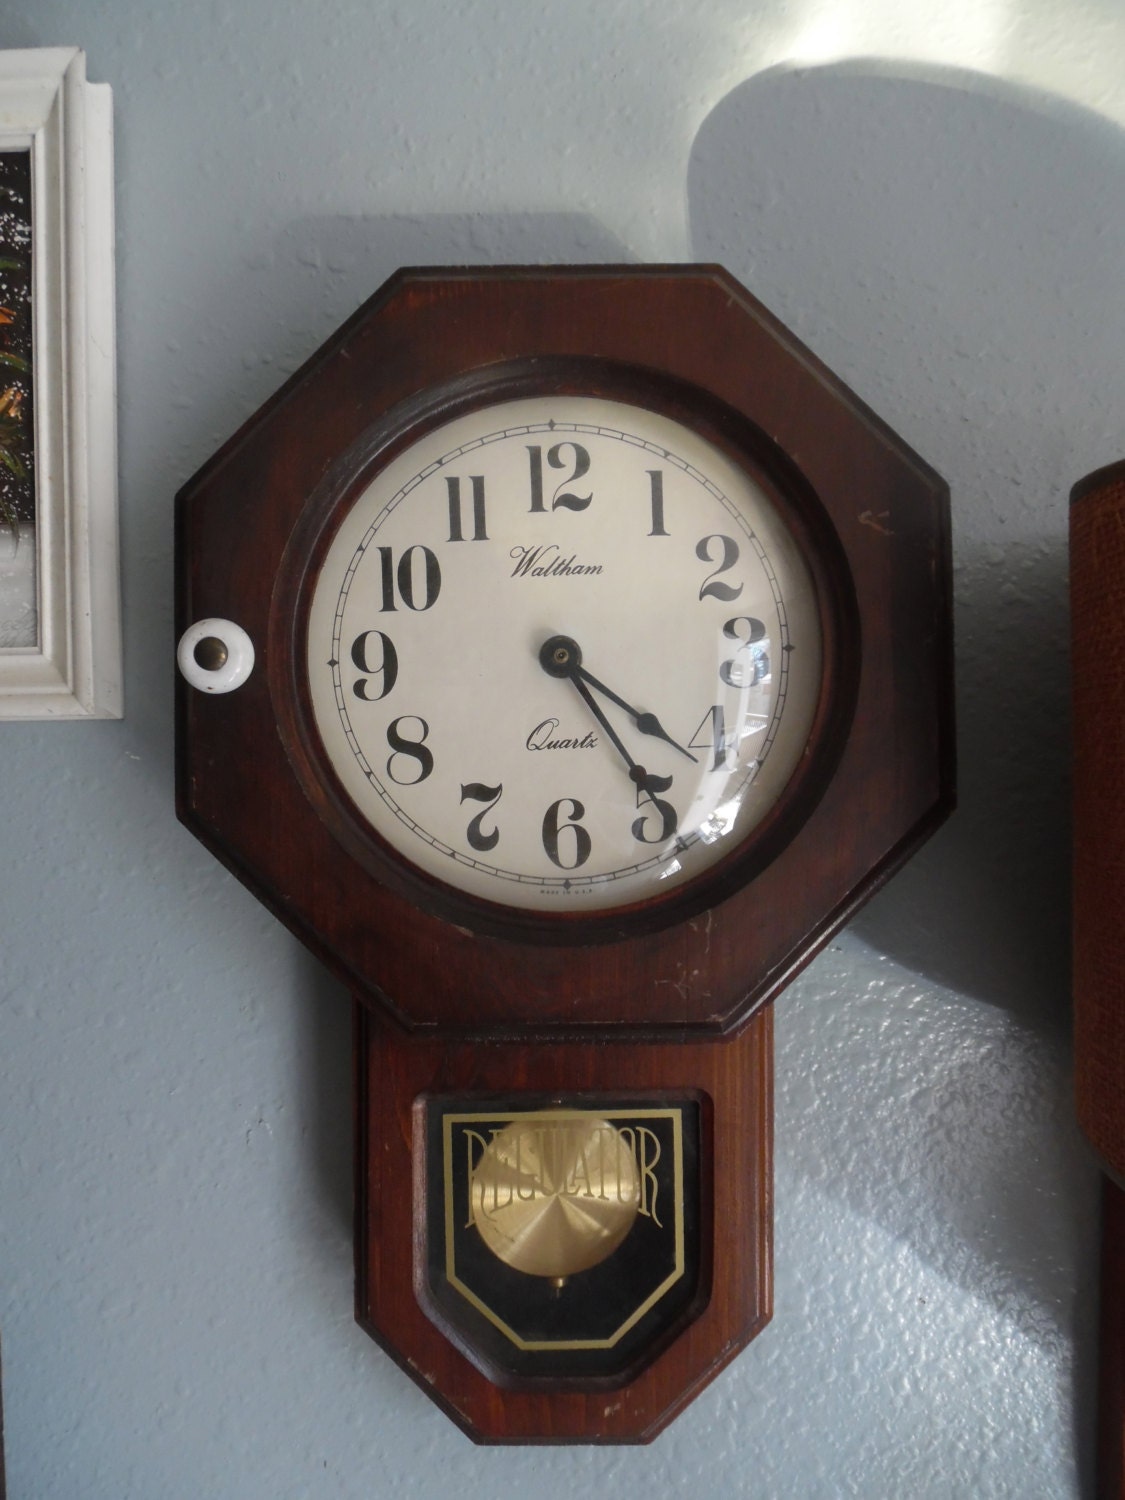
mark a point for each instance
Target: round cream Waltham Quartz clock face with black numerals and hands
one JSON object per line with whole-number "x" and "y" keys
{"x": 563, "y": 655}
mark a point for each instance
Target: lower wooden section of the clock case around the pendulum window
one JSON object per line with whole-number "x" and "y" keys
{"x": 404, "y": 1084}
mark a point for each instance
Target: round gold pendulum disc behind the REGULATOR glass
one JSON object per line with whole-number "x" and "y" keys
{"x": 556, "y": 1193}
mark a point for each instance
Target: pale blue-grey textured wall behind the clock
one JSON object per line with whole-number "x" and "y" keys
{"x": 175, "y": 1141}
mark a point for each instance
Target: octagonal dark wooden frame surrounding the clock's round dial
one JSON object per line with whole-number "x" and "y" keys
{"x": 709, "y": 959}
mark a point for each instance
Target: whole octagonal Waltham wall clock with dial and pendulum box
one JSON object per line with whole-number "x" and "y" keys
{"x": 565, "y": 656}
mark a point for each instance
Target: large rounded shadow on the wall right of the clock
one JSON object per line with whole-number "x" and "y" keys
{"x": 955, "y": 254}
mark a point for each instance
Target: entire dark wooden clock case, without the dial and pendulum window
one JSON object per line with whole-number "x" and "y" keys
{"x": 664, "y": 998}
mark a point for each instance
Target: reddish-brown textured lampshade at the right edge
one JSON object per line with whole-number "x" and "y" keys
{"x": 1099, "y": 676}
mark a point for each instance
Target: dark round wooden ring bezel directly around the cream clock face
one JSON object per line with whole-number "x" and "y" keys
{"x": 734, "y": 436}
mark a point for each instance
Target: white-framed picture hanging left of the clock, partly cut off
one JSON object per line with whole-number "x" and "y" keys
{"x": 61, "y": 649}
